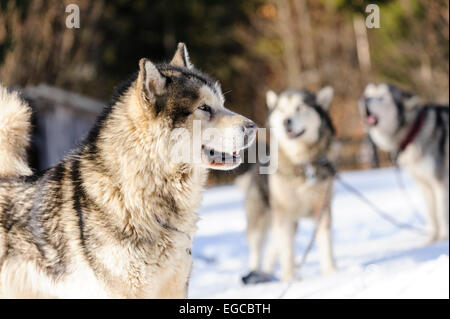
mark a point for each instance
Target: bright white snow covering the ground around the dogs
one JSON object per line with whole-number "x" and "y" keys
{"x": 375, "y": 259}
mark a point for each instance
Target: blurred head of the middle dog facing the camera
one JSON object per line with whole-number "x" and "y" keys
{"x": 300, "y": 117}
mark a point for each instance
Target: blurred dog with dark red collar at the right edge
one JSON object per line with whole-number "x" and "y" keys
{"x": 417, "y": 136}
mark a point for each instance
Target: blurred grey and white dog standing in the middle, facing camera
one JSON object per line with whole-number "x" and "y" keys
{"x": 301, "y": 185}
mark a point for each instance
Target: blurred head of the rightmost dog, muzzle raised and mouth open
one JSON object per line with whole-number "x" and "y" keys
{"x": 383, "y": 108}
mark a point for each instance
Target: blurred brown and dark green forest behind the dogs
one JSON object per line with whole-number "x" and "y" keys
{"x": 250, "y": 46}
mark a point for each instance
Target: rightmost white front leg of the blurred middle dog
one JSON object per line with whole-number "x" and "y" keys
{"x": 323, "y": 238}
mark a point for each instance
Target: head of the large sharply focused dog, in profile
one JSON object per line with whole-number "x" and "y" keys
{"x": 189, "y": 106}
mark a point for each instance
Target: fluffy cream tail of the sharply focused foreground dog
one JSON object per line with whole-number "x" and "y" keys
{"x": 15, "y": 116}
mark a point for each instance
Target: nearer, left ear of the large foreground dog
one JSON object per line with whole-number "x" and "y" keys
{"x": 150, "y": 81}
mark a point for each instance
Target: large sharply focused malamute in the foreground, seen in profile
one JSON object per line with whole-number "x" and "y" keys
{"x": 116, "y": 217}
